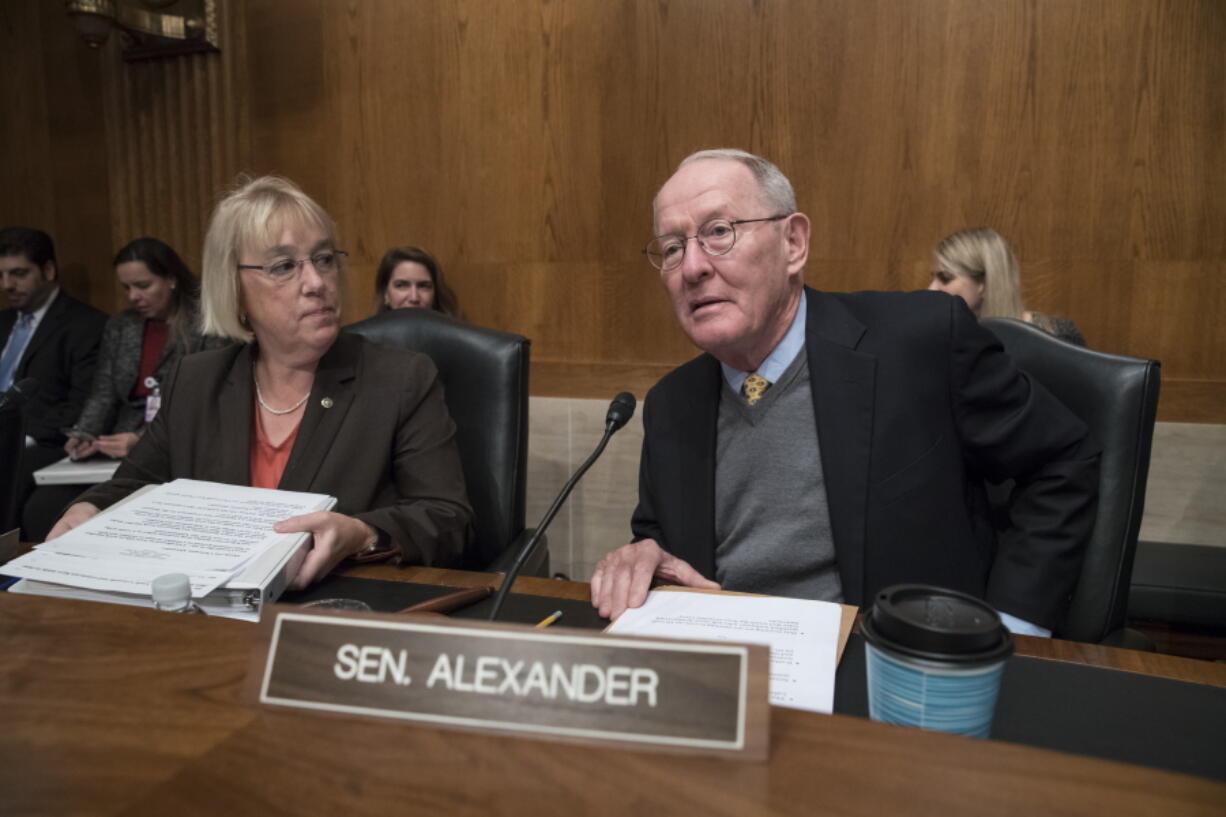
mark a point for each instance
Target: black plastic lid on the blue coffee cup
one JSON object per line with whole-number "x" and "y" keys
{"x": 937, "y": 625}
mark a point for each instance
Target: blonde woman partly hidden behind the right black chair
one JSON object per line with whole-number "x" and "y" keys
{"x": 979, "y": 267}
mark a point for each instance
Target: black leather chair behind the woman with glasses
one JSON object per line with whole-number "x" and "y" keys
{"x": 485, "y": 376}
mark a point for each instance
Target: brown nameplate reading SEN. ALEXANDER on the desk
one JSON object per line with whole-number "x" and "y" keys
{"x": 568, "y": 685}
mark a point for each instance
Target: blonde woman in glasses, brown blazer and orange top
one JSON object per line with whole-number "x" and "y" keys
{"x": 297, "y": 405}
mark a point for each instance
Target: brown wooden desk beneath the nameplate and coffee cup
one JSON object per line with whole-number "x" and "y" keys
{"x": 118, "y": 711}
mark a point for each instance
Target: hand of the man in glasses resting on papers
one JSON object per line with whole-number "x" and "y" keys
{"x": 623, "y": 578}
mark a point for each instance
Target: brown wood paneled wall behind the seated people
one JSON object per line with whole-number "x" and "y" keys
{"x": 523, "y": 142}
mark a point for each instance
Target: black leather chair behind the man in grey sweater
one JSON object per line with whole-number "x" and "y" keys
{"x": 1117, "y": 398}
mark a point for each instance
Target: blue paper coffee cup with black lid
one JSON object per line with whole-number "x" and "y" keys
{"x": 935, "y": 659}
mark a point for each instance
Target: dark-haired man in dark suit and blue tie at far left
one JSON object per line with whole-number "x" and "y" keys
{"x": 47, "y": 336}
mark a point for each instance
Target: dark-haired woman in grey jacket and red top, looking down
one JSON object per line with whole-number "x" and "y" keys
{"x": 139, "y": 349}
